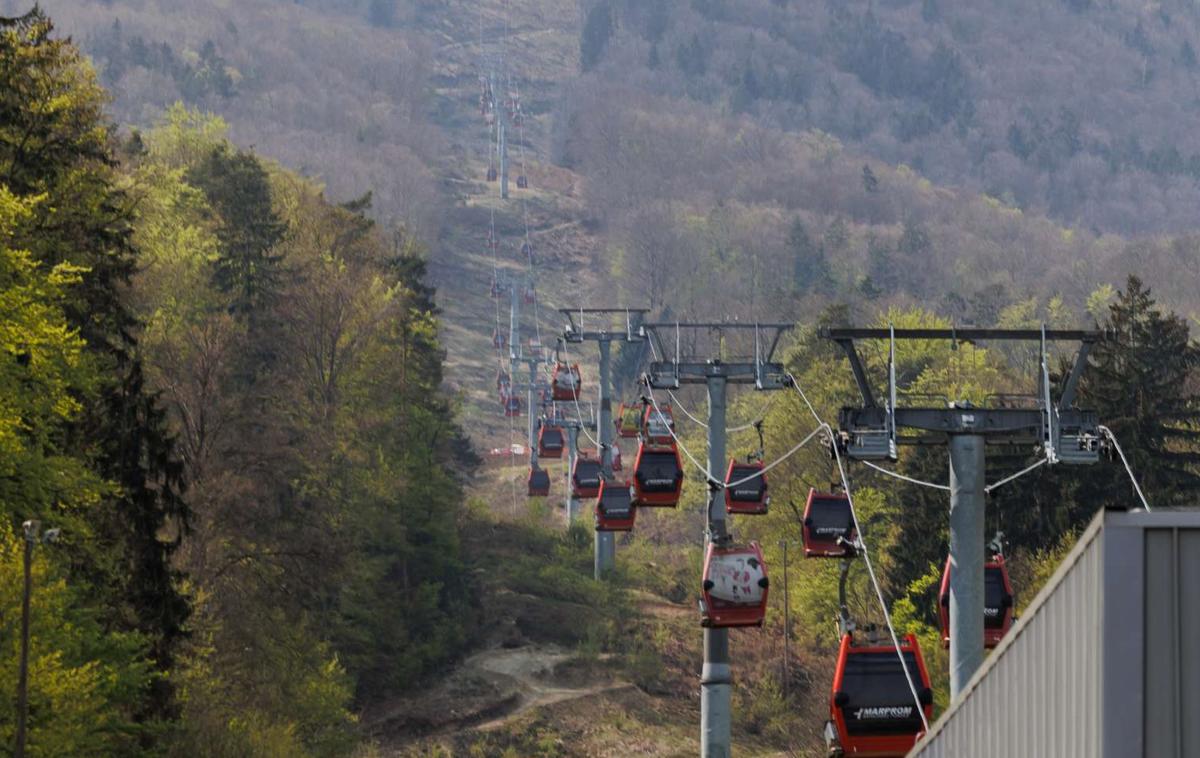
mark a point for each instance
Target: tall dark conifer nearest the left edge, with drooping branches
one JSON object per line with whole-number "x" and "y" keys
{"x": 56, "y": 145}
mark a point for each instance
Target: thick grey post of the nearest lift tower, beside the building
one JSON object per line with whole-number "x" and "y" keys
{"x": 967, "y": 558}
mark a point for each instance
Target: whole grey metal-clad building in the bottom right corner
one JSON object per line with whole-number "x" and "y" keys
{"x": 1106, "y": 661}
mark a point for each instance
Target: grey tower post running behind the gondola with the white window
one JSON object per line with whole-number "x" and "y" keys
{"x": 716, "y": 679}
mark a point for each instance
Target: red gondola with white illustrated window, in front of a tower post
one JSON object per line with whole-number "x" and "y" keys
{"x": 735, "y": 587}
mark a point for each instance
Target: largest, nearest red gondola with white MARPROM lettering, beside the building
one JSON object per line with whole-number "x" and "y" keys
{"x": 872, "y": 708}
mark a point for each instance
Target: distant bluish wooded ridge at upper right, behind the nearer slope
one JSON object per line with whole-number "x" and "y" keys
{"x": 1082, "y": 110}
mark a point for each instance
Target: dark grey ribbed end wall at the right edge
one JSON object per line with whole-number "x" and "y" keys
{"x": 1173, "y": 655}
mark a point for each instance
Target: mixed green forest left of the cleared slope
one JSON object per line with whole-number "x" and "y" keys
{"x": 219, "y": 388}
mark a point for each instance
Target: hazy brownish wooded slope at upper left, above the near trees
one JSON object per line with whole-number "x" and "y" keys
{"x": 321, "y": 92}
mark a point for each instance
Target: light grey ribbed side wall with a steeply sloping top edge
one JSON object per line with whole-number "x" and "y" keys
{"x": 1041, "y": 693}
